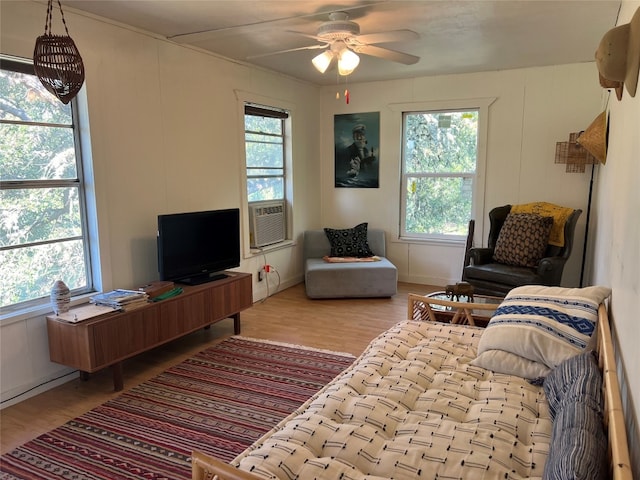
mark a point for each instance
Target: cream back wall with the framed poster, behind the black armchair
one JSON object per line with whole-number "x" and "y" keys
{"x": 533, "y": 109}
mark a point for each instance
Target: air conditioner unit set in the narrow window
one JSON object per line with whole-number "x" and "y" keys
{"x": 266, "y": 223}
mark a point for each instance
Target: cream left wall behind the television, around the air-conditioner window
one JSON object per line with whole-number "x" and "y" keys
{"x": 166, "y": 136}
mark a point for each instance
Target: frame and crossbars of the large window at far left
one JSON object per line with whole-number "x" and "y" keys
{"x": 25, "y": 66}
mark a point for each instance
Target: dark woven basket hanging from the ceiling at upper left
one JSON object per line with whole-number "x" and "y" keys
{"x": 57, "y": 61}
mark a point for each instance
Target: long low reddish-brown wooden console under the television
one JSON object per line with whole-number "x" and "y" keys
{"x": 109, "y": 339}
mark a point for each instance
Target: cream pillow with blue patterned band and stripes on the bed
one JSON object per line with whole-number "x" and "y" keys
{"x": 544, "y": 325}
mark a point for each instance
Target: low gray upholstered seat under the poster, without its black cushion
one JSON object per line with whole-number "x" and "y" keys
{"x": 342, "y": 280}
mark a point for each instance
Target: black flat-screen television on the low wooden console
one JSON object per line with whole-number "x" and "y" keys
{"x": 196, "y": 247}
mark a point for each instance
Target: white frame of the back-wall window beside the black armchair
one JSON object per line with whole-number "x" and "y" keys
{"x": 481, "y": 105}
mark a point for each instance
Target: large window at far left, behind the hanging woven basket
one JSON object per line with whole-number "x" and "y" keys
{"x": 42, "y": 206}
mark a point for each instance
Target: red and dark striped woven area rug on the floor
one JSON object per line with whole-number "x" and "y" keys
{"x": 219, "y": 401}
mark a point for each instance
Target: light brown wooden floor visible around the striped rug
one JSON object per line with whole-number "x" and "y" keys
{"x": 346, "y": 325}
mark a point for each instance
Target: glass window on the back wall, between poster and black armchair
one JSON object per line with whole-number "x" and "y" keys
{"x": 439, "y": 172}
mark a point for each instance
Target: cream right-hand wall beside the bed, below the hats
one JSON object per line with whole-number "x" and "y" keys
{"x": 615, "y": 241}
